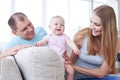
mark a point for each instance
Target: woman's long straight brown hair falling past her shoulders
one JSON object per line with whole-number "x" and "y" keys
{"x": 106, "y": 44}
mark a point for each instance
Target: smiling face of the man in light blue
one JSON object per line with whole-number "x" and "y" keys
{"x": 24, "y": 29}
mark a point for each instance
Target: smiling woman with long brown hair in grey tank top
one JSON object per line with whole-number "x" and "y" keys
{"x": 99, "y": 45}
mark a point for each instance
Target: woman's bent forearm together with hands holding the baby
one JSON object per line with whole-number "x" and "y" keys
{"x": 97, "y": 72}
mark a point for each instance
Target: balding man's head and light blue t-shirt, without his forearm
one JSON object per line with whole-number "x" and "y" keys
{"x": 24, "y": 31}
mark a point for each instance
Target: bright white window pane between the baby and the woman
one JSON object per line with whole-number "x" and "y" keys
{"x": 78, "y": 15}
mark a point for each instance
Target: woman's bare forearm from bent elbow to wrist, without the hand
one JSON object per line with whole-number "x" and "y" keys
{"x": 97, "y": 72}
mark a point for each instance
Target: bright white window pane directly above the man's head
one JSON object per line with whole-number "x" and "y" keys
{"x": 32, "y": 8}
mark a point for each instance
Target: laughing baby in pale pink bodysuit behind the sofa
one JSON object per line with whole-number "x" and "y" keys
{"x": 58, "y": 41}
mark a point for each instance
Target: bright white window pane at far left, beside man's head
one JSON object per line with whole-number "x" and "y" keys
{"x": 4, "y": 15}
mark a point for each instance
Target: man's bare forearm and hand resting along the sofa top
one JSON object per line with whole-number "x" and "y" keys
{"x": 12, "y": 51}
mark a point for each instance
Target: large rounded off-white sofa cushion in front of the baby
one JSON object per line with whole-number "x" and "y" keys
{"x": 40, "y": 63}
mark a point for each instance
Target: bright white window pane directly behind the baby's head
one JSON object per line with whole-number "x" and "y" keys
{"x": 57, "y": 7}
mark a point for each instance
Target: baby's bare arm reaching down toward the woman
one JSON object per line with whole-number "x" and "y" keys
{"x": 73, "y": 46}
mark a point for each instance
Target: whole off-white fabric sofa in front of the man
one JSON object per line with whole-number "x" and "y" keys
{"x": 35, "y": 63}
